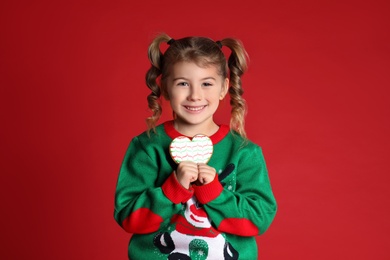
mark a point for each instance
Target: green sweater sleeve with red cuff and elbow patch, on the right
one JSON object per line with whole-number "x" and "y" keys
{"x": 251, "y": 207}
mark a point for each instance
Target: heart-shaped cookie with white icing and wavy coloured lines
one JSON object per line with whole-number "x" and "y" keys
{"x": 198, "y": 150}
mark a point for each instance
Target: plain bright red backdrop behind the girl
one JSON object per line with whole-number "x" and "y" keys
{"x": 73, "y": 95}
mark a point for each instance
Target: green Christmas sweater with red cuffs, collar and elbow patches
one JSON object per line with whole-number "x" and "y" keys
{"x": 218, "y": 220}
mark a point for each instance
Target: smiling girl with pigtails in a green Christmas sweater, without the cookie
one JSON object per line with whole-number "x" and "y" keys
{"x": 187, "y": 209}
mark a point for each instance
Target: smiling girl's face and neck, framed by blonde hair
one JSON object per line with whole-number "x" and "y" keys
{"x": 194, "y": 93}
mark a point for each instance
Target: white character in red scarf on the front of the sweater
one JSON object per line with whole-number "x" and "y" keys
{"x": 191, "y": 236}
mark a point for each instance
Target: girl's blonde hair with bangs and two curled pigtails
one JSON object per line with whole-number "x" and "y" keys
{"x": 204, "y": 52}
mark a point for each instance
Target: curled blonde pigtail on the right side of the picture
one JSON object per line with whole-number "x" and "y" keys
{"x": 237, "y": 63}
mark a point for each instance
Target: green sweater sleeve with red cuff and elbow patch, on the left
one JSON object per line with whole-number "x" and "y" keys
{"x": 141, "y": 206}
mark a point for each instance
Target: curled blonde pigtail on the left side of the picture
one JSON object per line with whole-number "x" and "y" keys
{"x": 152, "y": 75}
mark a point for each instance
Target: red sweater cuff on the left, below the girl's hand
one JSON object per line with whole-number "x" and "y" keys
{"x": 175, "y": 192}
